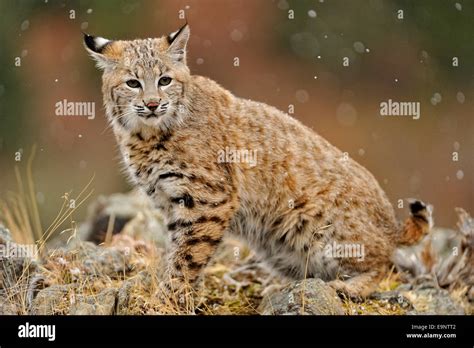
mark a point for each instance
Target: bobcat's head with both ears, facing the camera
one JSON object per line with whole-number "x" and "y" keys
{"x": 143, "y": 81}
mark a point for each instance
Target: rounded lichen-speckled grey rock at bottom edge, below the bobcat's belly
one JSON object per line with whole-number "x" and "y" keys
{"x": 319, "y": 299}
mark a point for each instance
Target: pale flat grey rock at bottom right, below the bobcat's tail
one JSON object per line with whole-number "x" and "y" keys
{"x": 433, "y": 301}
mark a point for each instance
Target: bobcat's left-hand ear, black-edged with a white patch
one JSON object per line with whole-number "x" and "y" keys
{"x": 105, "y": 52}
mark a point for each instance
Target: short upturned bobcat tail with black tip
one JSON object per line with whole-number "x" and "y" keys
{"x": 418, "y": 224}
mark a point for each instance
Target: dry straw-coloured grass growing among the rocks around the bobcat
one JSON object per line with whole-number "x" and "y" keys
{"x": 231, "y": 285}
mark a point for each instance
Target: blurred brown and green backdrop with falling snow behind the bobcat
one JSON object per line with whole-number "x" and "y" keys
{"x": 289, "y": 53}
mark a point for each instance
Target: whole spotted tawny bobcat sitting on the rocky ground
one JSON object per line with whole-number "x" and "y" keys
{"x": 298, "y": 198}
